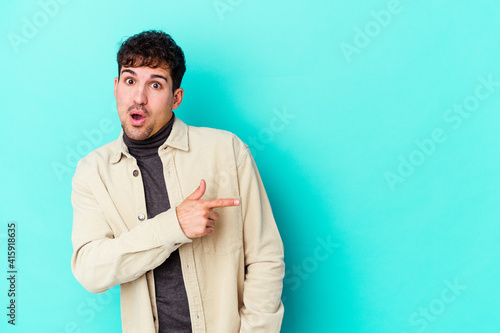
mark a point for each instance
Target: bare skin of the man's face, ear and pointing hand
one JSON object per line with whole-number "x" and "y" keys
{"x": 145, "y": 100}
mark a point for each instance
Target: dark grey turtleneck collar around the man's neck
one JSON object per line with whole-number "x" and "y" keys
{"x": 149, "y": 146}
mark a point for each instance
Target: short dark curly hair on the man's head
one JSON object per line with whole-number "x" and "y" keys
{"x": 153, "y": 49}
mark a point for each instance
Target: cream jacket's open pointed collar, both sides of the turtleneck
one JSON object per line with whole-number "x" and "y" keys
{"x": 178, "y": 139}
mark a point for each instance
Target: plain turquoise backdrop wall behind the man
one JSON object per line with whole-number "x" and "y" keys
{"x": 385, "y": 193}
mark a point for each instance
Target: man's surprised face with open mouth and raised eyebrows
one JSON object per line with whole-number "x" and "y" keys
{"x": 144, "y": 100}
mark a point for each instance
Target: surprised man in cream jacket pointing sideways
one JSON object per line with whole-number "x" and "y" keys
{"x": 177, "y": 215}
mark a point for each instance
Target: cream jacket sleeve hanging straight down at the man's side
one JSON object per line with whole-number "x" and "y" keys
{"x": 262, "y": 309}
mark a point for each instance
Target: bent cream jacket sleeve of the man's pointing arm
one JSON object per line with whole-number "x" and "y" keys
{"x": 105, "y": 255}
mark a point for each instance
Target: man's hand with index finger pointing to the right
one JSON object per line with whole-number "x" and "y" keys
{"x": 196, "y": 217}
